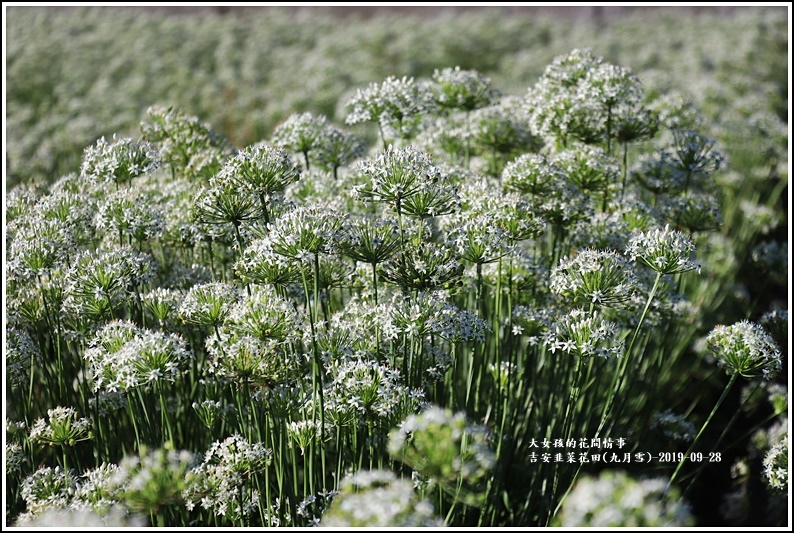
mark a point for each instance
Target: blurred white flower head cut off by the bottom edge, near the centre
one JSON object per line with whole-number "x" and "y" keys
{"x": 377, "y": 498}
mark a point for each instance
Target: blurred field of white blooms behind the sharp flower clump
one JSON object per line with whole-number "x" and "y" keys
{"x": 76, "y": 74}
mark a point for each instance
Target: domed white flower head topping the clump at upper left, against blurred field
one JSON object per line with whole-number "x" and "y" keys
{"x": 119, "y": 161}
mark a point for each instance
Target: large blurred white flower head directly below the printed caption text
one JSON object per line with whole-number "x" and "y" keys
{"x": 614, "y": 499}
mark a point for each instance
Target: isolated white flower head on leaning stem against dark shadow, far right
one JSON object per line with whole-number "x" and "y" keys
{"x": 744, "y": 348}
